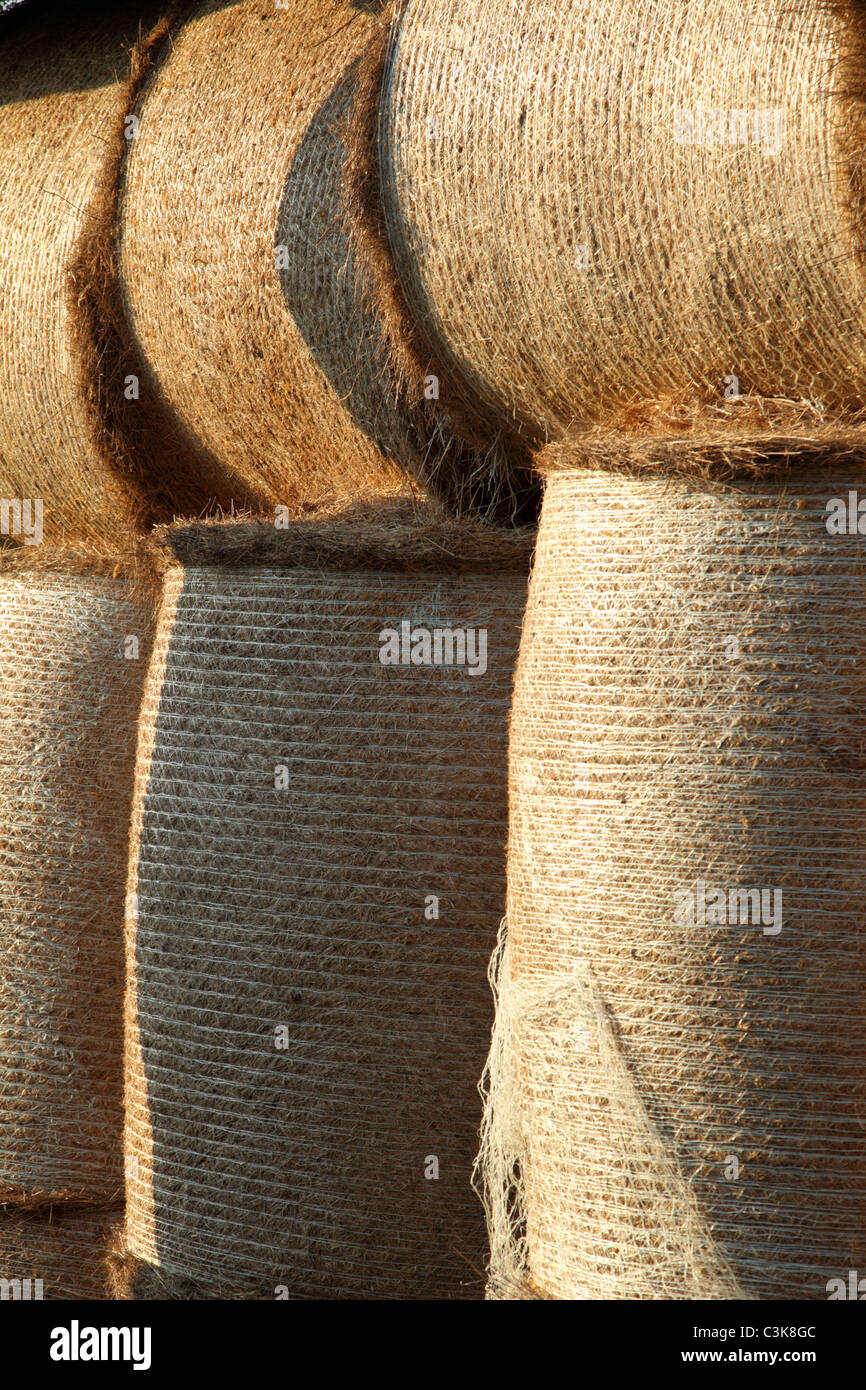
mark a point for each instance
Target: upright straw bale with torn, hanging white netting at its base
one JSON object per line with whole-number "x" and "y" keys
{"x": 682, "y": 1107}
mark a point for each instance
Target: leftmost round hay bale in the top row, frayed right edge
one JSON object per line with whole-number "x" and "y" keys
{"x": 65, "y": 91}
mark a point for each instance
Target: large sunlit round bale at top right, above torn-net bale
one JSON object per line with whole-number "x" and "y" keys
{"x": 603, "y": 206}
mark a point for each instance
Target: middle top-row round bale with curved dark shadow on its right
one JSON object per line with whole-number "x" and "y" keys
{"x": 238, "y": 272}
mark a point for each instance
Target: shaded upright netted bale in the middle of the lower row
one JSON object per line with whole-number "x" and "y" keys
{"x": 319, "y": 869}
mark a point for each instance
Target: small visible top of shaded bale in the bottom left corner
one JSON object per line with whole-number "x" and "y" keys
{"x": 58, "y": 1254}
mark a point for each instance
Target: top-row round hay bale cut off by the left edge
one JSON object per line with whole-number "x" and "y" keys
{"x": 99, "y": 464}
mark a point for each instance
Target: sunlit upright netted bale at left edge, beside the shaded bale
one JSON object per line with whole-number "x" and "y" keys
{"x": 73, "y": 658}
